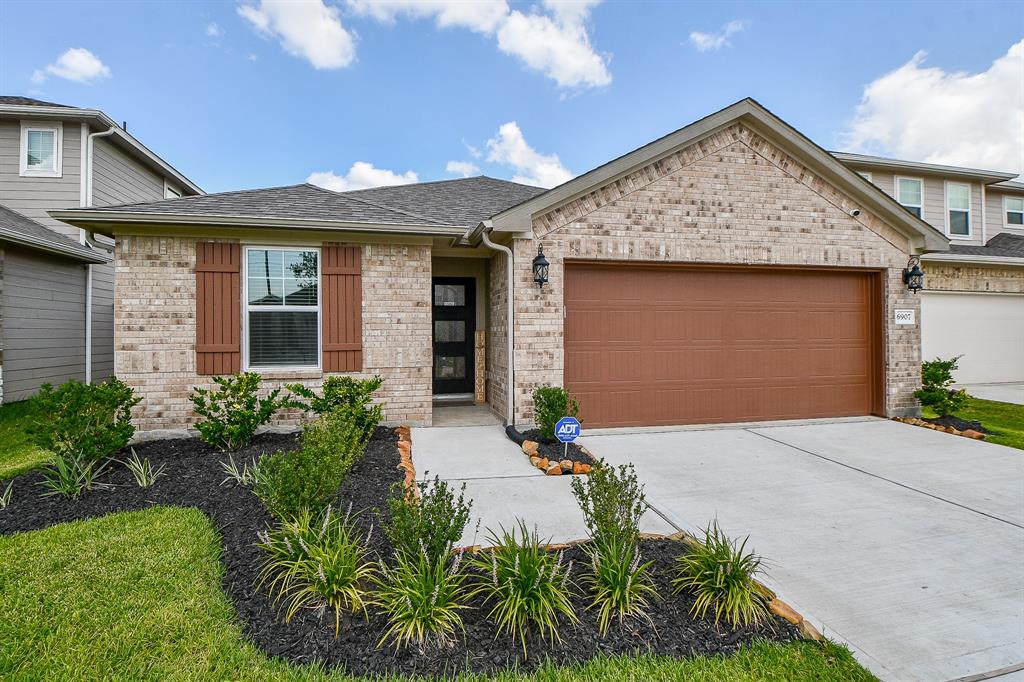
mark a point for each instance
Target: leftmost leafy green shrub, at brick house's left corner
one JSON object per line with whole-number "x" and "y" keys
{"x": 84, "y": 423}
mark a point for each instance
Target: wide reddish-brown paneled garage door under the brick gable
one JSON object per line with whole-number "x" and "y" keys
{"x": 695, "y": 346}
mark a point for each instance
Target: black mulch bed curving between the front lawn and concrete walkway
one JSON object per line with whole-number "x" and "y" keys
{"x": 193, "y": 479}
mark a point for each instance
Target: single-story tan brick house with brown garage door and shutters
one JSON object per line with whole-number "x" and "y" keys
{"x": 732, "y": 271}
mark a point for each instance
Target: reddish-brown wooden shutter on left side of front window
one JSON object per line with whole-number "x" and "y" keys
{"x": 219, "y": 302}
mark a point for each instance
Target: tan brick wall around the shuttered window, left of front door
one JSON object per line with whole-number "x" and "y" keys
{"x": 155, "y": 330}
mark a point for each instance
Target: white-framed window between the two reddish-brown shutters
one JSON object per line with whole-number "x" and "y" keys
{"x": 281, "y": 300}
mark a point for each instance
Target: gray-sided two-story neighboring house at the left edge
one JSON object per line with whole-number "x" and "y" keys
{"x": 57, "y": 284}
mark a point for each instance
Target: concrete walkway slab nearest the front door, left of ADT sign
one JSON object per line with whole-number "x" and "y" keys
{"x": 468, "y": 452}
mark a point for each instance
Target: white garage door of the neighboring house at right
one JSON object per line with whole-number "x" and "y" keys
{"x": 987, "y": 329}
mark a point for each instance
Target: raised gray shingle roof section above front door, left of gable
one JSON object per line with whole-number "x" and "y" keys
{"x": 462, "y": 202}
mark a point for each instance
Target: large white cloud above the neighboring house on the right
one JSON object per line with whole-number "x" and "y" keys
{"x": 927, "y": 114}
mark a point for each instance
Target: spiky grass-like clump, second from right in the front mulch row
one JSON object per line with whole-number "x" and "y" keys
{"x": 620, "y": 584}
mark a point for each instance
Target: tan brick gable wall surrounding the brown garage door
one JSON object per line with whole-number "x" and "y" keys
{"x": 732, "y": 198}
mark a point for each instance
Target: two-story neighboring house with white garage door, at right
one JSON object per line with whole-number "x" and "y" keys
{"x": 974, "y": 300}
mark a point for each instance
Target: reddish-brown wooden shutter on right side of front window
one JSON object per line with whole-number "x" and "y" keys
{"x": 342, "y": 296}
